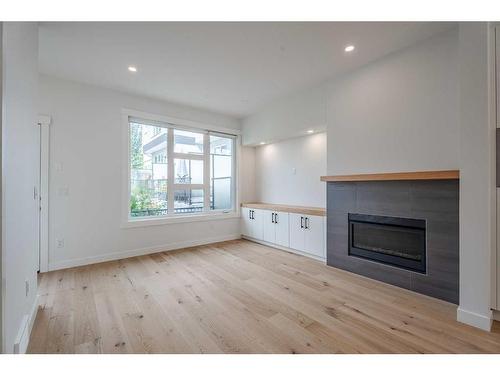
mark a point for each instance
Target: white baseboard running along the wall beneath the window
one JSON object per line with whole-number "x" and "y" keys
{"x": 137, "y": 252}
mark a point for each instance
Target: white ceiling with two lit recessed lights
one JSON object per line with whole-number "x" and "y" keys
{"x": 231, "y": 68}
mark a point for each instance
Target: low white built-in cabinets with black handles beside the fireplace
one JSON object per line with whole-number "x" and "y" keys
{"x": 299, "y": 232}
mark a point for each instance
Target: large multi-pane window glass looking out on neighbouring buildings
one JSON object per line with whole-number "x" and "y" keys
{"x": 179, "y": 171}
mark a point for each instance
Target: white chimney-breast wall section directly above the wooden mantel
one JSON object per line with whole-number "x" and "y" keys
{"x": 397, "y": 114}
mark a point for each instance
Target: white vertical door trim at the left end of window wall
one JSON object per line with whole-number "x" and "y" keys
{"x": 44, "y": 121}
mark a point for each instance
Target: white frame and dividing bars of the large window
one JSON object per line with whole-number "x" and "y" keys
{"x": 172, "y": 123}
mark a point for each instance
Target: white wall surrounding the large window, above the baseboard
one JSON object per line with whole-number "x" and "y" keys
{"x": 86, "y": 162}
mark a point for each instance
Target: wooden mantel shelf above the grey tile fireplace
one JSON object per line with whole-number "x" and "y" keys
{"x": 398, "y": 176}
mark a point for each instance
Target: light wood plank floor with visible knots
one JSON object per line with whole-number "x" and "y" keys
{"x": 240, "y": 297}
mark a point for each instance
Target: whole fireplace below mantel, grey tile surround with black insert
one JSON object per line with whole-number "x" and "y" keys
{"x": 402, "y": 232}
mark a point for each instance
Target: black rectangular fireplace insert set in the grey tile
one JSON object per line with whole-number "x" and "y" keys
{"x": 395, "y": 241}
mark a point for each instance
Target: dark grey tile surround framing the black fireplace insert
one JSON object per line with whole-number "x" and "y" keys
{"x": 435, "y": 201}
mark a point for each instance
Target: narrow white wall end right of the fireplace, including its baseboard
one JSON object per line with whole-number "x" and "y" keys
{"x": 476, "y": 176}
